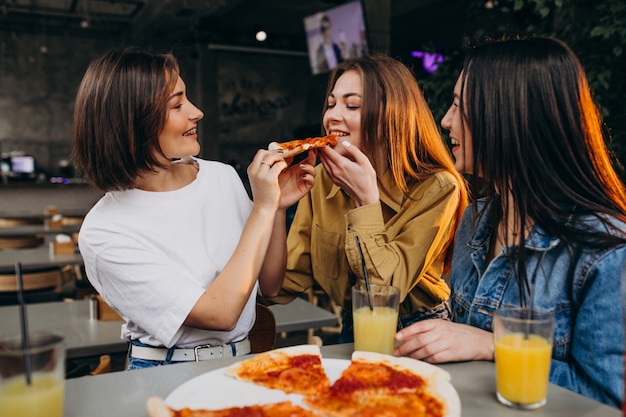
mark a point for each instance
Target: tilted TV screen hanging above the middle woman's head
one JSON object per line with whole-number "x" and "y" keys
{"x": 334, "y": 35}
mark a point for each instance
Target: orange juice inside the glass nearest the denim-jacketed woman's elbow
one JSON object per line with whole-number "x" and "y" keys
{"x": 522, "y": 367}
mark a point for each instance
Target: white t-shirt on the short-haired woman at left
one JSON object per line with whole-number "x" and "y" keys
{"x": 151, "y": 255}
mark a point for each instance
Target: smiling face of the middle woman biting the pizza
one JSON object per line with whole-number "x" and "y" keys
{"x": 343, "y": 116}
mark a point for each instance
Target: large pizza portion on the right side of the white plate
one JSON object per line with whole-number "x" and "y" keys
{"x": 383, "y": 385}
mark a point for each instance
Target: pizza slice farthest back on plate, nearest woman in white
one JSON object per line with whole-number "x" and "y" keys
{"x": 294, "y": 369}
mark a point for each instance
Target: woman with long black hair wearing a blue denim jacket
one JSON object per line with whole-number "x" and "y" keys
{"x": 551, "y": 231}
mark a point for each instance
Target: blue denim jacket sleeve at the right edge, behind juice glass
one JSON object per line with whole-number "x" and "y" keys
{"x": 596, "y": 366}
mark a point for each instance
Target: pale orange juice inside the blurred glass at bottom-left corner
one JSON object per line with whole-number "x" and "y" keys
{"x": 42, "y": 398}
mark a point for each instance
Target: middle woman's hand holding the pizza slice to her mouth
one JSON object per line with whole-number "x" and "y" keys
{"x": 351, "y": 170}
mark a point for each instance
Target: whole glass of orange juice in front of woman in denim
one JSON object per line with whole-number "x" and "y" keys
{"x": 523, "y": 350}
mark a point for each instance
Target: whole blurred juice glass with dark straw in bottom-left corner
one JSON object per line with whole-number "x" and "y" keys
{"x": 32, "y": 382}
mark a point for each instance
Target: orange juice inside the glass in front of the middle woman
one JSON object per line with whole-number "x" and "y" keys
{"x": 375, "y": 330}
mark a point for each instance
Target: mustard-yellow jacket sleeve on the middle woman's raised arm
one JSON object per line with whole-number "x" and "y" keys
{"x": 414, "y": 247}
